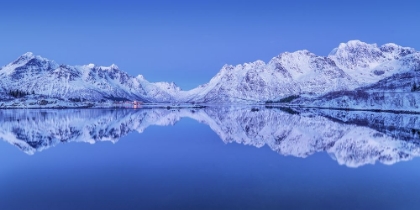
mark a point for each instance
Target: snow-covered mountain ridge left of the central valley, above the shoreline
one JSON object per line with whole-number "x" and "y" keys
{"x": 34, "y": 74}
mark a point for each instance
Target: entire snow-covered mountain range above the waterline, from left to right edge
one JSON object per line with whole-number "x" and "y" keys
{"x": 352, "y": 67}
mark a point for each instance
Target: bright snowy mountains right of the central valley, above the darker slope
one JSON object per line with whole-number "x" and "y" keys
{"x": 349, "y": 66}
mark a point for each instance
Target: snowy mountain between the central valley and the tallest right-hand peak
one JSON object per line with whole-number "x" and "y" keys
{"x": 287, "y": 74}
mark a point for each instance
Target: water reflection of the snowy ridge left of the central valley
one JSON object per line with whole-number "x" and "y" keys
{"x": 35, "y": 130}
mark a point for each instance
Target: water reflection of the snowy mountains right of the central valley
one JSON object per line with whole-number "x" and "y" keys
{"x": 301, "y": 135}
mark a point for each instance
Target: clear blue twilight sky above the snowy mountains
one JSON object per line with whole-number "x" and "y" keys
{"x": 187, "y": 42}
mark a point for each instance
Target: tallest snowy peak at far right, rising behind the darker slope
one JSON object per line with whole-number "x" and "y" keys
{"x": 368, "y": 63}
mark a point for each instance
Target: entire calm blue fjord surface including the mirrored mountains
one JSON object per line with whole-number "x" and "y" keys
{"x": 210, "y": 158}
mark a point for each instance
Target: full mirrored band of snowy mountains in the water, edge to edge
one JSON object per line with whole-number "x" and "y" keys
{"x": 352, "y": 138}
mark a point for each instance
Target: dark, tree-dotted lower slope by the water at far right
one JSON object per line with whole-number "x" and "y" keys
{"x": 399, "y": 92}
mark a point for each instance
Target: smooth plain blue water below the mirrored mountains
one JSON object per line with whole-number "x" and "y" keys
{"x": 188, "y": 166}
